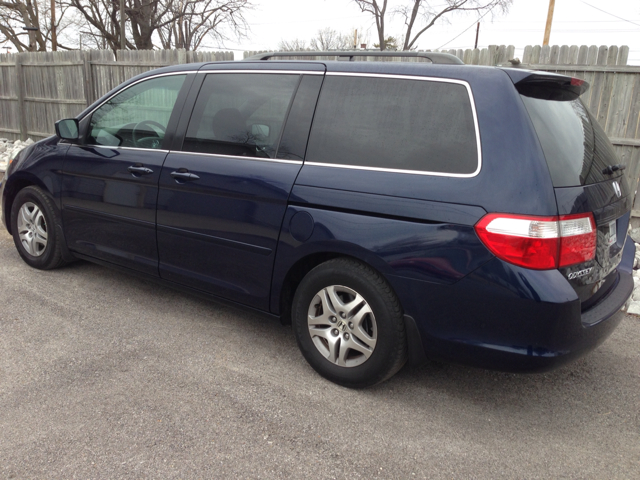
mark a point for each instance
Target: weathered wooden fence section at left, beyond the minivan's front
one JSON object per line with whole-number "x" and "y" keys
{"x": 37, "y": 89}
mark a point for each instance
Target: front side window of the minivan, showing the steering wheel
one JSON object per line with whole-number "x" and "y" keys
{"x": 138, "y": 116}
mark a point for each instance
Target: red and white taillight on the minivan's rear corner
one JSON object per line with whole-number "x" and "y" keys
{"x": 540, "y": 243}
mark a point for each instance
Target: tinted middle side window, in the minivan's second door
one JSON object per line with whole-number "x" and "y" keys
{"x": 240, "y": 114}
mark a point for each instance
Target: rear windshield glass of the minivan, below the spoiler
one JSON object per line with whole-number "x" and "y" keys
{"x": 576, "y": 148}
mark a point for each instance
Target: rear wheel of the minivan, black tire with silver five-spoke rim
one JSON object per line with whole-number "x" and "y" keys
{"x": 344, "y": 276}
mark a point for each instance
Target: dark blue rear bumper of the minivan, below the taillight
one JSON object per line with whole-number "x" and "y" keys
{"x": 507, "y": 318}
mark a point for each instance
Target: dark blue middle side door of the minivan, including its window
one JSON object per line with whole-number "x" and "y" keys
{"x": 223, "y": 196}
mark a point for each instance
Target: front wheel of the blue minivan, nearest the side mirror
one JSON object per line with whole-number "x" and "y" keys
{"x": 43, "y": 257}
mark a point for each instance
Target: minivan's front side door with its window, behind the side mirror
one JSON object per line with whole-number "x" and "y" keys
{"x": 110, "y": 179}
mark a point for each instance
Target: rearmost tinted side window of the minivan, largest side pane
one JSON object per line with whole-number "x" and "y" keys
{"x": 419, "y": 125}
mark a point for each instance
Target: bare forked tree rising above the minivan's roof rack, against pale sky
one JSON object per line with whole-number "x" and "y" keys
{"x": 421, "y": 15}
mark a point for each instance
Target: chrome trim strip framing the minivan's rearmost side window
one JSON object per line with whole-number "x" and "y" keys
{"x": 414, "y": 172}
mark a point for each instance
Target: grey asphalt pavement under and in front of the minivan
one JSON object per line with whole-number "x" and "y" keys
{"x": 103, "y": 375}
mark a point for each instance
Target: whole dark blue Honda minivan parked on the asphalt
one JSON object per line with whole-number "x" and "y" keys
{"x": 390, "y": 211}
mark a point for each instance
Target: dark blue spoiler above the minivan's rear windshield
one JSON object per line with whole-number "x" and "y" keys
{"x": 546, "y": 85}
